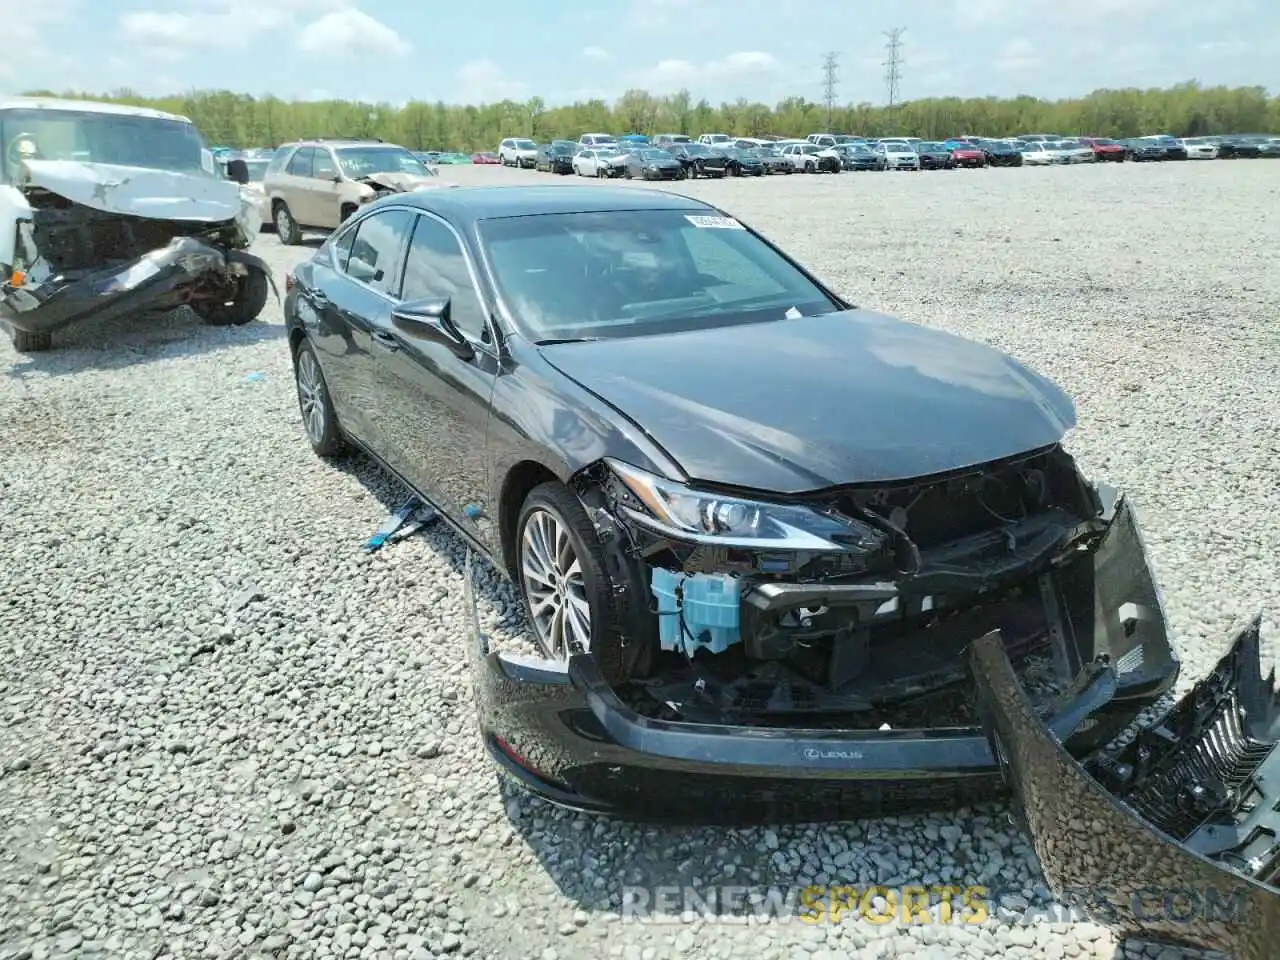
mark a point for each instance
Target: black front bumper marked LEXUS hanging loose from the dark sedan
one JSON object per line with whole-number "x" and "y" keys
{"x": 566, "y": 735}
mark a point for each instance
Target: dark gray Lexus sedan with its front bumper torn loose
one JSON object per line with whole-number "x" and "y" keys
{"x": 758, "y": 531}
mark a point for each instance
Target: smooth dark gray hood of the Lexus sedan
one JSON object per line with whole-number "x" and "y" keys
{"x": 801, "y": 405}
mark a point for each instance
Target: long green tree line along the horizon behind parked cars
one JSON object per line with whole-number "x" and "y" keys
{"x": 1187, "y": 109}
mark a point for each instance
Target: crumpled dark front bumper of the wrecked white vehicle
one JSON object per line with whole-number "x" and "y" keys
{"x": 158, "y": 281}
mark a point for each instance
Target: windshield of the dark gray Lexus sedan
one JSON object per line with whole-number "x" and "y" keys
{"x": 633, "y": 273}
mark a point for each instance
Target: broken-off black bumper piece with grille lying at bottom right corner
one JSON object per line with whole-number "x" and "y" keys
{"x": 1176, "y": 838}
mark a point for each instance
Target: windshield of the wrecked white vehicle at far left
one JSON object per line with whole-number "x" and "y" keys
{"x": 102, "y": 139}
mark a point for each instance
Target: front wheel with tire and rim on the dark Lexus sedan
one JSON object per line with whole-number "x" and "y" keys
{"x": 564, "y": 583}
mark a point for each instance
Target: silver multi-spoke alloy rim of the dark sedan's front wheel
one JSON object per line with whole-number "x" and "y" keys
{"x": 554, "y": 583}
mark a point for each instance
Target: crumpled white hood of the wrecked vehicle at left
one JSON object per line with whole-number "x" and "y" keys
{"x": 139, "y": 191}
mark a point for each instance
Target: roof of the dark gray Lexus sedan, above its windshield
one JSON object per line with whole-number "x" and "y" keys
{"x": 472, "y": 204}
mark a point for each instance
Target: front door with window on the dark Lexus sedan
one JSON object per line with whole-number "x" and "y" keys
{"x": 437, "y": 400}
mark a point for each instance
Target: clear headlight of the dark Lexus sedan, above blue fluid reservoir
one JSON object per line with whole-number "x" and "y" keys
{"x": 697, "y": 516}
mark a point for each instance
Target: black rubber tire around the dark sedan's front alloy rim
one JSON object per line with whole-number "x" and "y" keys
{"x": 572, "y": 527}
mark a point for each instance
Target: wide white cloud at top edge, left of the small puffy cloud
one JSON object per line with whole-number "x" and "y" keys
{"x": 170, "y": 34}
